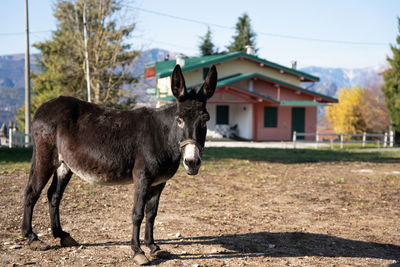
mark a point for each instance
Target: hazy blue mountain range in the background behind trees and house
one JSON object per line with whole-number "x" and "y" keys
{"x": 331, "y": 79}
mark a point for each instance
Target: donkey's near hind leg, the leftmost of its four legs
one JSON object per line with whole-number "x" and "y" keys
{"x": 41, "y": 170}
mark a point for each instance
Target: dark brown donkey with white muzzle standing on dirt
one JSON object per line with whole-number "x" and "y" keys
{"x": 103, "y": 145}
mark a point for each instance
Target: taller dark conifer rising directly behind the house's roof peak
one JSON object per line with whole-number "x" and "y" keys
{"x": 244, "y": 35}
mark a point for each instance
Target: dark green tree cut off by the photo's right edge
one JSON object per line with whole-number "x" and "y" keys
{"x": 391, "y": 87}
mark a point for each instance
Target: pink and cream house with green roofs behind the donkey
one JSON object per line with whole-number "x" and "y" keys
{"x": 266, "y": 100}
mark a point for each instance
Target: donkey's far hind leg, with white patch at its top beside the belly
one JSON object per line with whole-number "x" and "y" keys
{"x": 60, "y": 181}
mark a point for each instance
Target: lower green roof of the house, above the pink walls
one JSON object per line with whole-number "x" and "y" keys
{"x": 239, "y": 77}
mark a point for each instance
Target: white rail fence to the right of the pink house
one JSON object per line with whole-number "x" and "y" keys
{"x": 386, "y": 139}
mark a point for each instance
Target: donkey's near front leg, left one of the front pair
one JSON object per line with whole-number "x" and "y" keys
{"x": 142, "y": 187}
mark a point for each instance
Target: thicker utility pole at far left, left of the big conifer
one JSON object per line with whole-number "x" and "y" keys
{"x": 27, "y": 80}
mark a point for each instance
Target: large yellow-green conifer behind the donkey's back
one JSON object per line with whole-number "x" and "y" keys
{"x": 62, "y": 69}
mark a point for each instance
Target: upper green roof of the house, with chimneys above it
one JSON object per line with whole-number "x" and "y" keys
{"x": 165, "y": 68}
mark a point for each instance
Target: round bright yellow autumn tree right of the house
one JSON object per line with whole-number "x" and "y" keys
{"x": 359, "y": 110}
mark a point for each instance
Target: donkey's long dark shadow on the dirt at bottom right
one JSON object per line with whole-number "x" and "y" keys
{"x": 281, "y": 244}
